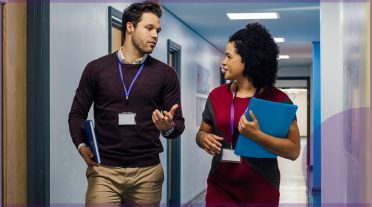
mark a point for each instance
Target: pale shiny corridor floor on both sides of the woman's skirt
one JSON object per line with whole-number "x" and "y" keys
{"x": 293, "y": 190}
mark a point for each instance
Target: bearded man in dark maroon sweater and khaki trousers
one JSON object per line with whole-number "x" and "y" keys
{"x": 129, "y": 89}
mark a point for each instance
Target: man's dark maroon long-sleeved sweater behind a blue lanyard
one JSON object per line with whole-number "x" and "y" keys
{"x": 157, "y": 86}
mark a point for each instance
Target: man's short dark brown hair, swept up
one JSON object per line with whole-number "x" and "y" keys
{"x": 133, "y": 13}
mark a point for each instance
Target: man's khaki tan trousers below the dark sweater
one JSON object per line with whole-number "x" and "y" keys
{"x": 115, "y": 186}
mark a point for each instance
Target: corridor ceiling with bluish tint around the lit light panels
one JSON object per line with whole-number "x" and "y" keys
{"x": 299, "y": 23}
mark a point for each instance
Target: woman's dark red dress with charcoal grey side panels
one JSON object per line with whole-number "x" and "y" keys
{"x": 254, "y": 181}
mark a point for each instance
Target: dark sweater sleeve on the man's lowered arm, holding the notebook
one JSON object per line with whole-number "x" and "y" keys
{"x": 81, "y": 104}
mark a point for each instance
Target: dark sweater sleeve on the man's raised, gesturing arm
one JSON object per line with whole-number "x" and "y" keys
{"x": 171, "y": 96}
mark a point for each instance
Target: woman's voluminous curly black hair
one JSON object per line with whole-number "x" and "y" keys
{"x": 259, "y": 54}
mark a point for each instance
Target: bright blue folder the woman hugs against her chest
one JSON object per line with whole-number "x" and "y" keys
{"x": 274, "y": 119}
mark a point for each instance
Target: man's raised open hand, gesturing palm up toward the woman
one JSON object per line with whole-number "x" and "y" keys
{"x": 164, "y": 121}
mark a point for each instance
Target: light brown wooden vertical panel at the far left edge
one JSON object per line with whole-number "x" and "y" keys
{"x": 14, "y": 103}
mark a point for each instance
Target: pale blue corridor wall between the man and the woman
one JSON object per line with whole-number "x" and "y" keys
{"x": 195, "y": 163}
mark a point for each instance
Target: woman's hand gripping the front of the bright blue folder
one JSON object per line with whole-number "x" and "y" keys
{"x": 249, "y": 129}
